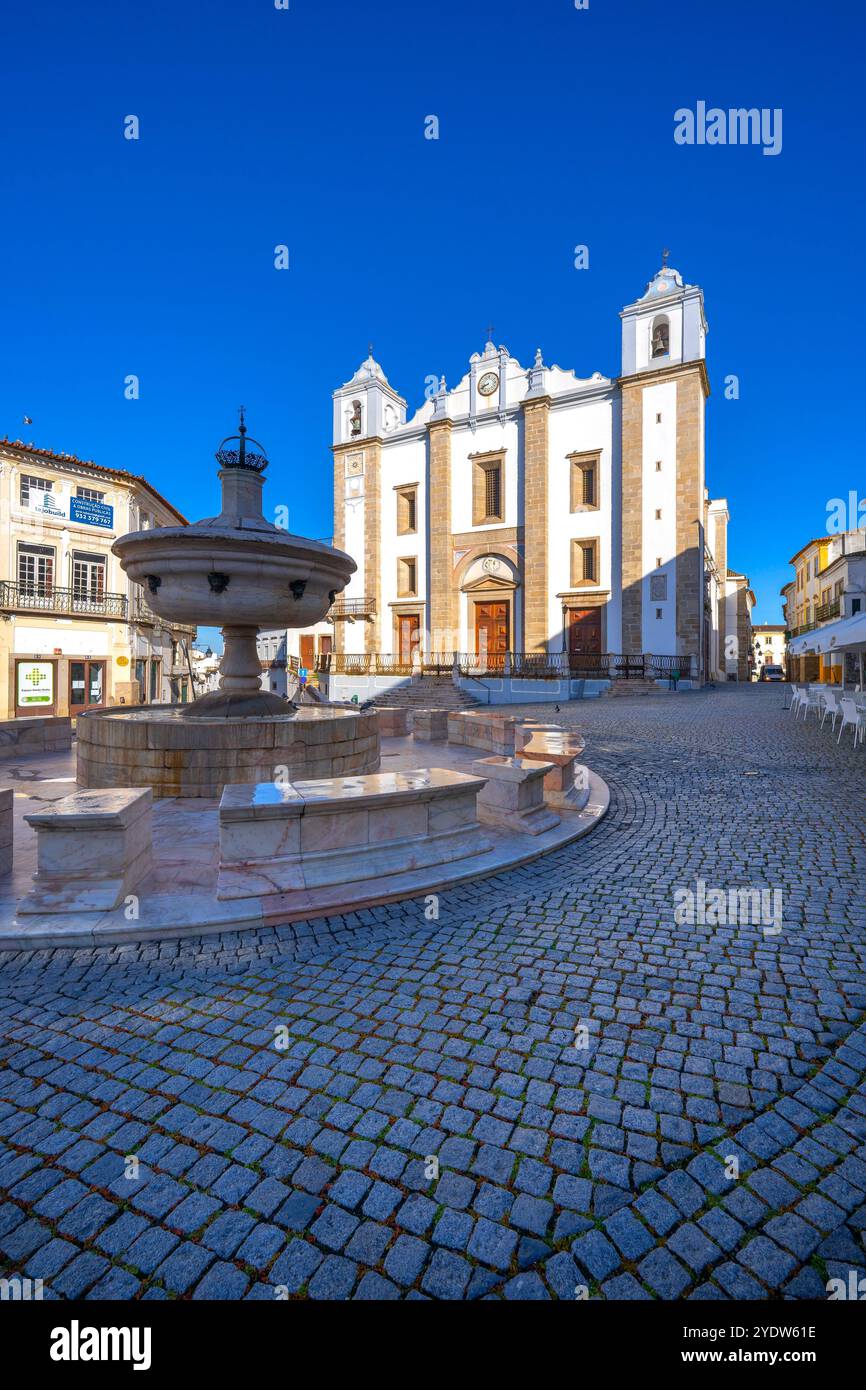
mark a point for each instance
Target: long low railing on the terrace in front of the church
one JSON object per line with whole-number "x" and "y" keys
{"x": 529, "y": 665}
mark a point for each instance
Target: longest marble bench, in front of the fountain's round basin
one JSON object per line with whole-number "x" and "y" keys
{"x": 293, "y": 837}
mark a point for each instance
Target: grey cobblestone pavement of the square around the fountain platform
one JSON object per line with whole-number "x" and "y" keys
{"x": 290, "y": 1095}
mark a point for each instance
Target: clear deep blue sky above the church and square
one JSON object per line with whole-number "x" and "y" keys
{"x": 307, "y": 127}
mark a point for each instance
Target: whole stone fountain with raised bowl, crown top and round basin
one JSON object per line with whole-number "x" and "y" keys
{"x": 241, "y": 573}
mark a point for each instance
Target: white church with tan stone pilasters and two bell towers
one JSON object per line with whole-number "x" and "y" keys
{"x": 528, "y": 511}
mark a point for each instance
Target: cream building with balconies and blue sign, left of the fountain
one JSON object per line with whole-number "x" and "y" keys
{"x": 76, "y": 633}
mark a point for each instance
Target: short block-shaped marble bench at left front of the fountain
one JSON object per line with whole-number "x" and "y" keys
{"x": 92, "y": 850}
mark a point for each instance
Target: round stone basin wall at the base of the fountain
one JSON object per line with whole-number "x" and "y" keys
{"x": 162, "y": 747}
